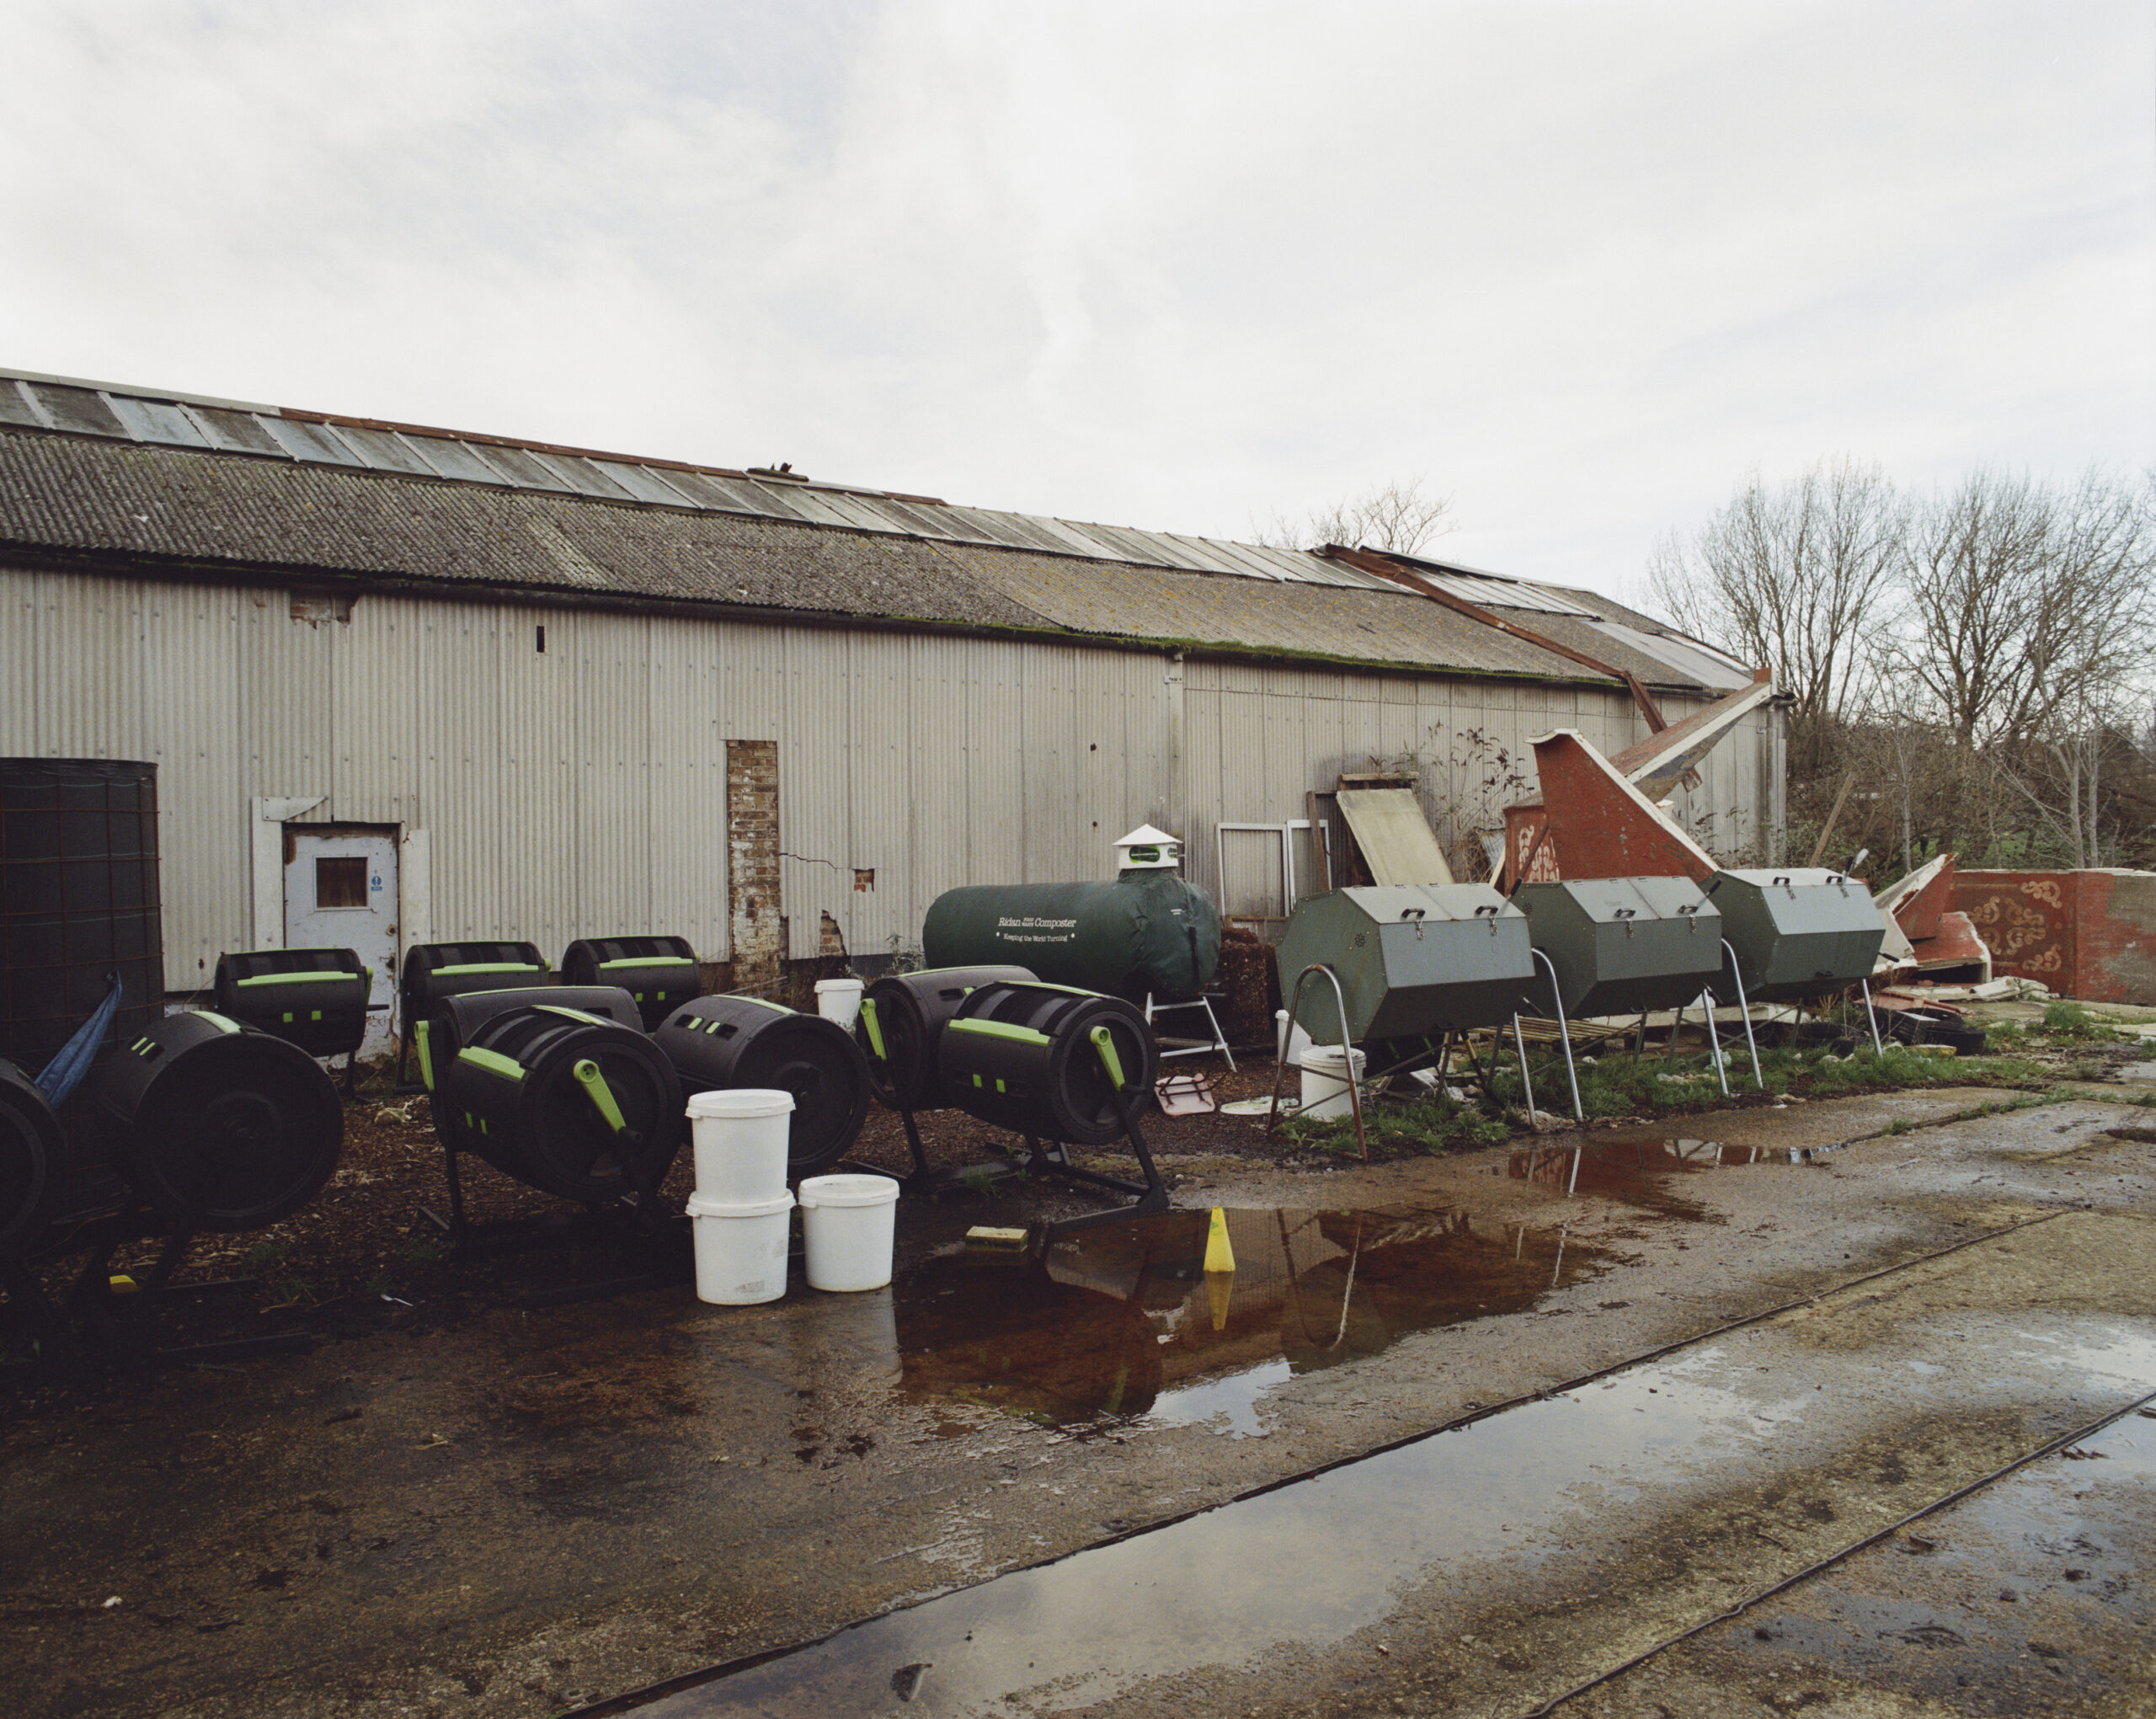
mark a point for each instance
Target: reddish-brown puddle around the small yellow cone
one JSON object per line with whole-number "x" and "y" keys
{"x": 1122, "y": 1321}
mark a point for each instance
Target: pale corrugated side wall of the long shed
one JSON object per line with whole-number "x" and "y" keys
{"x": 581, "y": 790}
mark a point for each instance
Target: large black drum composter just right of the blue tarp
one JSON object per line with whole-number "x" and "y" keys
{"x": 219, "y": 1125}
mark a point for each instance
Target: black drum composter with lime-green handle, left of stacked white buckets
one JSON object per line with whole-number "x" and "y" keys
{"x": 564, "y": 1101}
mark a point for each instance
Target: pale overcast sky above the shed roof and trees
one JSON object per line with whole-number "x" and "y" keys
{"x": 1180, "y": 266}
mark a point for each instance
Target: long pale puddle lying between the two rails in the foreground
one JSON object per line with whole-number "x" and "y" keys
{"x": 1301, "y": 1567}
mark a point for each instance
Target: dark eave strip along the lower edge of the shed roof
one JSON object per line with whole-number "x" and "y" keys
{"x": 316, "y": 579}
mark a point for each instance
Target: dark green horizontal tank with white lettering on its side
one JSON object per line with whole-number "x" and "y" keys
{"x": 1146, "y": 935}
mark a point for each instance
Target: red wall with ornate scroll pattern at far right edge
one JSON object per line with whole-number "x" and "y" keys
{"x": 2088, "y": 935}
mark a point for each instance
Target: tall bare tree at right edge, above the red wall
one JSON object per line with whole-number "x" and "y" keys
{"x": 2028, "y": 603}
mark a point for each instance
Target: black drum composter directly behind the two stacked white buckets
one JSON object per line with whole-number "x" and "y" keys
{"x": 745, "y": 1043}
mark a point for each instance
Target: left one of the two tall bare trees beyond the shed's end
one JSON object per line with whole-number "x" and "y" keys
{"x": 1793, "y": 579}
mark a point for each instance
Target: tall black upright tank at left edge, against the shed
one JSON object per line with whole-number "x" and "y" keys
{"x": 79, "y": 900}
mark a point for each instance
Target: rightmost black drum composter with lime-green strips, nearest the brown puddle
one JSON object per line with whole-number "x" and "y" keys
{"x": 1047, "y": 1060}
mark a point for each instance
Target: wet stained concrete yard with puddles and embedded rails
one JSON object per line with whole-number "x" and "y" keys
{"x": 521, "y": 1513}
